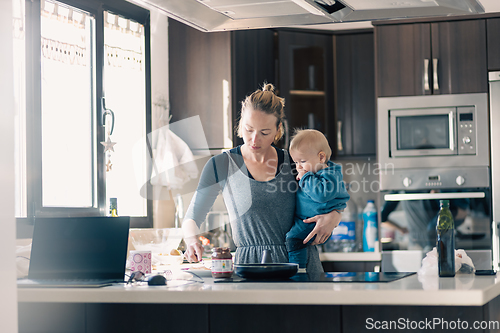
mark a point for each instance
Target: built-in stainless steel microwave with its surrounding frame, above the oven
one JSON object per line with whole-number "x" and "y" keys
{"x": 433, "y": 131}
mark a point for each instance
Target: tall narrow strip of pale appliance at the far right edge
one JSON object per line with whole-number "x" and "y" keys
{"x": 494, "y": 78}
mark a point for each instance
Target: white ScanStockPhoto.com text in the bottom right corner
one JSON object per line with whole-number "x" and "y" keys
{"x": 437, "y": 324}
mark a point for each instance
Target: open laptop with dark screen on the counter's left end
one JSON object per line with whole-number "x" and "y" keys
{"x": 78, "y": 252}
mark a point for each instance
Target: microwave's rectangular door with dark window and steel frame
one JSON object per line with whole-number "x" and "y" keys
{"x": 423, "y": 132}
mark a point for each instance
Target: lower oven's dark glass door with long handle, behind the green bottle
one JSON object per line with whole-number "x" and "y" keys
{"x": 416, "y": 213}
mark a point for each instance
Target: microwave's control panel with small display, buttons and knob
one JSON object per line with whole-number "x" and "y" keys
{"x": 466, "y": 133}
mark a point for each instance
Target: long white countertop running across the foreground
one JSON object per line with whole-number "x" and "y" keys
{"x": 413, "y": 290}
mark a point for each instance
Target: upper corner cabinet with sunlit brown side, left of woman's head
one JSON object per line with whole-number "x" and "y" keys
{"x": 211, "y": 73}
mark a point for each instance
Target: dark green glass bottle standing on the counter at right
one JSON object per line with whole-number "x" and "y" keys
{"x": 445, "y": 240}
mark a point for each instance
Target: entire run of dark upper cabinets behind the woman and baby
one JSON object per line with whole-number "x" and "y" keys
{"x": 203, "y": 66}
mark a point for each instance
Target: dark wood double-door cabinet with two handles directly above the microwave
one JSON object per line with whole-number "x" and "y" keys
{"x": 431, "y": 58}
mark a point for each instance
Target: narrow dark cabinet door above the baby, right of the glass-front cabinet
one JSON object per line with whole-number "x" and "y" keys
{"x": 354, "y": 95}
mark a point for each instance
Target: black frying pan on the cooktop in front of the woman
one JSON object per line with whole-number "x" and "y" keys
{"x": 266, "y": 269}
